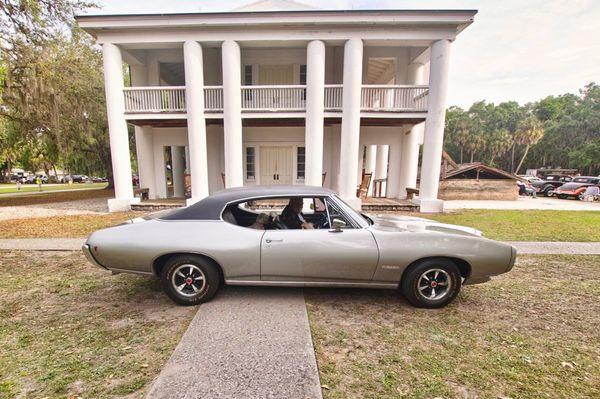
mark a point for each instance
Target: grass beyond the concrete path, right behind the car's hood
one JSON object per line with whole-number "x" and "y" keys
{"x": 528, "y": 225}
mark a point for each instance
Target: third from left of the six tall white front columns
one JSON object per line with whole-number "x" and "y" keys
{"x": 232, "y": 114}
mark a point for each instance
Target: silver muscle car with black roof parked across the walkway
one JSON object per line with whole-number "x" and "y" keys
{"x": 297, "y": 236}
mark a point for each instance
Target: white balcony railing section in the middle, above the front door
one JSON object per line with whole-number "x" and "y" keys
{"x": 274, "y": 98}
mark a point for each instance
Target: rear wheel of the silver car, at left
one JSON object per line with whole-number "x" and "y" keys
{"x": 193, "y": 267}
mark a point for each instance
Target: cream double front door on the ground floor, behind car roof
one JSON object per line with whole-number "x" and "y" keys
{"x": 276, "y": 165}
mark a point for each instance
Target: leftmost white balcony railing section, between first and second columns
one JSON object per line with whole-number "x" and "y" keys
{"x": 154, "y": 99}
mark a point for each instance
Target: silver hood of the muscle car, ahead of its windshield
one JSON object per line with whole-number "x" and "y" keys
{"x": 416, "y": 224}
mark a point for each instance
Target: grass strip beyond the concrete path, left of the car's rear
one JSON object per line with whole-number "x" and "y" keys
{"x": 62, "y": 226}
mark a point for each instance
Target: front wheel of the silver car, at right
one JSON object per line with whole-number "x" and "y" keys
{"x": 447, "y": 273}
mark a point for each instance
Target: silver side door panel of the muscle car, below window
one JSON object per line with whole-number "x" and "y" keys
{"x": 348, "y": 254}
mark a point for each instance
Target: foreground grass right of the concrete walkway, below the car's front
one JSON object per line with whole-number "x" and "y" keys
{"x": 529, "y": 334}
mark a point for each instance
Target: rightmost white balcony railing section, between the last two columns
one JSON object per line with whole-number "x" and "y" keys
{"x": 394, "y": 98}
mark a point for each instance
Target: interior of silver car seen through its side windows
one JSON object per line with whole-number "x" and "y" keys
{"x": 265, "y": 214}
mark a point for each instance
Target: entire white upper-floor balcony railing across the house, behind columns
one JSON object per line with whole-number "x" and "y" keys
{"x": 273, "y": 99}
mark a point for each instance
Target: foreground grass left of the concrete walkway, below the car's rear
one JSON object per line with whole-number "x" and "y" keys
{"x": 69, "y": 330}
